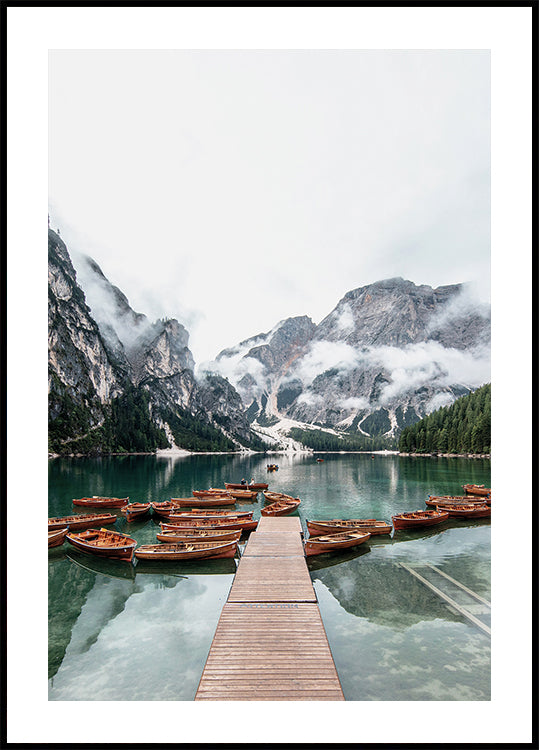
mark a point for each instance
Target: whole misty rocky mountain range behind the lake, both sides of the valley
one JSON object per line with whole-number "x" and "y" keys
{"x": 387, "y": 354}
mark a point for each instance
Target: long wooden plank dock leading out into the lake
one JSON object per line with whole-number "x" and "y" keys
{"x": 270, "y": 643}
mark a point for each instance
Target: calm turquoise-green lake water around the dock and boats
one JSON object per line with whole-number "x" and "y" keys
{"x": 143, "y": 632}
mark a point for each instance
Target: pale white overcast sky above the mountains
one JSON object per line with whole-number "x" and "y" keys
{"x": 232, "y": 189}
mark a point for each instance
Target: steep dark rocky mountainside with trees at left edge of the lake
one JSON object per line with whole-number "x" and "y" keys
{"x": 119, "y": 382}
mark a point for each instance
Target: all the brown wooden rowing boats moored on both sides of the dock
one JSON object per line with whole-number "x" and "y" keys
{"x": 199, "y": 533}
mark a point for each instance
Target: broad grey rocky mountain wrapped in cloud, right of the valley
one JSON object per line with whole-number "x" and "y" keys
{"x": 388, "y": 354}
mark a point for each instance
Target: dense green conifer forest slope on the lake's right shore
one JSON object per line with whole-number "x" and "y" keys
{"x": 463, "y": 427}
